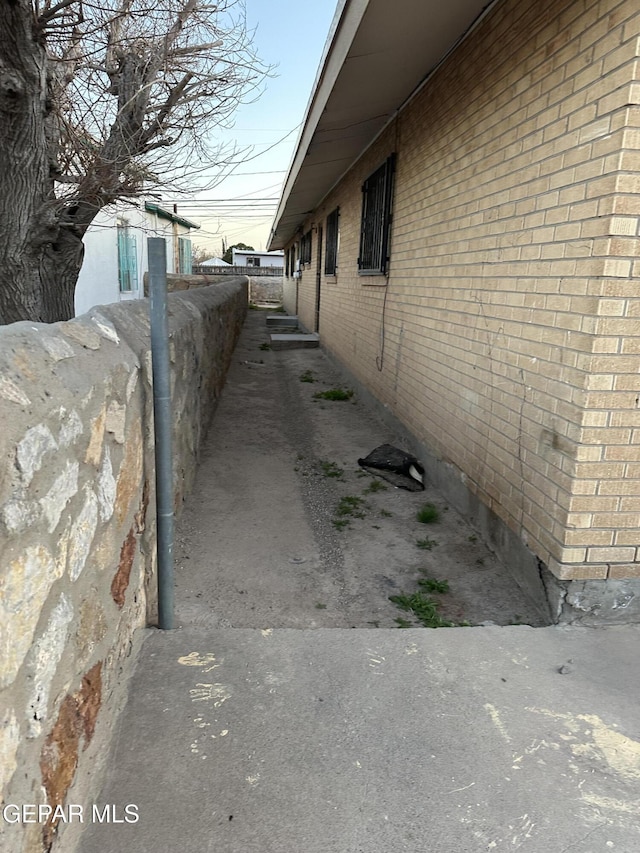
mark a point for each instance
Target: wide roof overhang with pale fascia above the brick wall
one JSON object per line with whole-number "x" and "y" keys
{"x": 378, "y": 54}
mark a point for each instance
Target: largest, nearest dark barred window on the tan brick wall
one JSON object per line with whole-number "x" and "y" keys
{"x": 377, "y": 196}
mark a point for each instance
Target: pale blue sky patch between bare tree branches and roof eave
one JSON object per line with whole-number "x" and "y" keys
{"x": 291, "y": 36}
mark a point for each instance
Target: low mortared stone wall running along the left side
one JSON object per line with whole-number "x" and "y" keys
{"x": 77, "y": 529}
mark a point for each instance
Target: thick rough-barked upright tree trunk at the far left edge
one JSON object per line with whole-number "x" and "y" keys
{"x": 40, "y": 257}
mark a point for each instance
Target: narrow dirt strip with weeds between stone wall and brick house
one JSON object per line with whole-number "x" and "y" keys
{"x": 261, "y": 541}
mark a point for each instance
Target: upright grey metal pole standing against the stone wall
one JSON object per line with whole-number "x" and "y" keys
{"x": 163, "y": 425}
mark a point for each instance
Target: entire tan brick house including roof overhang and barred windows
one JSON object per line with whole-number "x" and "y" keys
{"x": 461, "y": 221}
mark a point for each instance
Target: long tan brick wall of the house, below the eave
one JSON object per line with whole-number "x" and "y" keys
{"x": 507, "y": 337}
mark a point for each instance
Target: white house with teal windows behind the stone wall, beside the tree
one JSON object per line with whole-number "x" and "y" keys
{"x": 115, "y": 257}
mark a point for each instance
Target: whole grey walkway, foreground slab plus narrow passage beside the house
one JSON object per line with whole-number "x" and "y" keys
{"x": 288, "y": 714}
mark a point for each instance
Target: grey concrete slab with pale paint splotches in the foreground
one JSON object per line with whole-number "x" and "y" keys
{"x": 338, "y": 741}
